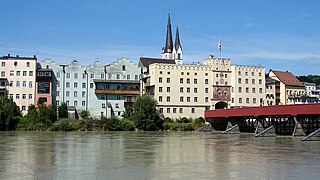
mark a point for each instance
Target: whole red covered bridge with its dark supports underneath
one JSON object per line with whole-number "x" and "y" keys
{"x": 283, "y": 118}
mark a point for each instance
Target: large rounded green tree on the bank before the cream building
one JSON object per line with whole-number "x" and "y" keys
{"x": 145, "y": 114}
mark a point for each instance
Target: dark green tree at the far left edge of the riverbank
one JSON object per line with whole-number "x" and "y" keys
{"x": 9, "y": 114}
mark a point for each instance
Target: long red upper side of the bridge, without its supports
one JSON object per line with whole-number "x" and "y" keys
{"x": 281, "y": 110}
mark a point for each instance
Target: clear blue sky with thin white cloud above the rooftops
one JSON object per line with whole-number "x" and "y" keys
{"x": 277, "y": 34}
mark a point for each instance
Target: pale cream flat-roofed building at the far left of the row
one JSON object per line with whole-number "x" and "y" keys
{"x": 18, "y": 77}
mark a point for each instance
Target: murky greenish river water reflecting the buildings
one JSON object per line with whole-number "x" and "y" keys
{"x": 155, "y": 155}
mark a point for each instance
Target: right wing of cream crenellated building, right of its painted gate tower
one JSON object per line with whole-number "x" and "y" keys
{"x": 248, "y": 86}
